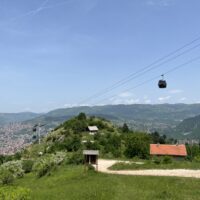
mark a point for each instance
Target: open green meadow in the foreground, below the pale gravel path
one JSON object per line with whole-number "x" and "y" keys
{"x": 70, "y": 182}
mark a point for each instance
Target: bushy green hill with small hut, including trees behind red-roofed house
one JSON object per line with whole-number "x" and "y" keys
{"x": 112, "y": 141}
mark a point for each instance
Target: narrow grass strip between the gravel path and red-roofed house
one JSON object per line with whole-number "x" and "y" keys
{"x": 152, "y": 165}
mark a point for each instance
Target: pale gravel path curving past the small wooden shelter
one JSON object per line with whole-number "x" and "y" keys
{"x": 105, "y": 164}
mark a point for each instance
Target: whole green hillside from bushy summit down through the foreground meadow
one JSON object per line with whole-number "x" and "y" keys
{"x": 54, "y": 169}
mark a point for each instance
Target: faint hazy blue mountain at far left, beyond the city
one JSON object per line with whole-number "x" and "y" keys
{"x": 6, "y": 118}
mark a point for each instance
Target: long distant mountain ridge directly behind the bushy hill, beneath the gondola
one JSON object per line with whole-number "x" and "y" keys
{"x": 138, "y": 116}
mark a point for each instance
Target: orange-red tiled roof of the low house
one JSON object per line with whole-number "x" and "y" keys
{"x": 170, "y": 150}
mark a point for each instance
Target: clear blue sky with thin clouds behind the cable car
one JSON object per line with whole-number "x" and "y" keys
{"x": 60, "y": 53}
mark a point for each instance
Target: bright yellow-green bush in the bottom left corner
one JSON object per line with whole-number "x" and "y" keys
{"x": 18, "y": 193}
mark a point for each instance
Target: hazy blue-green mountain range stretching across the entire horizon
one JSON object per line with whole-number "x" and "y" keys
{"x": 175, "y": 120}
